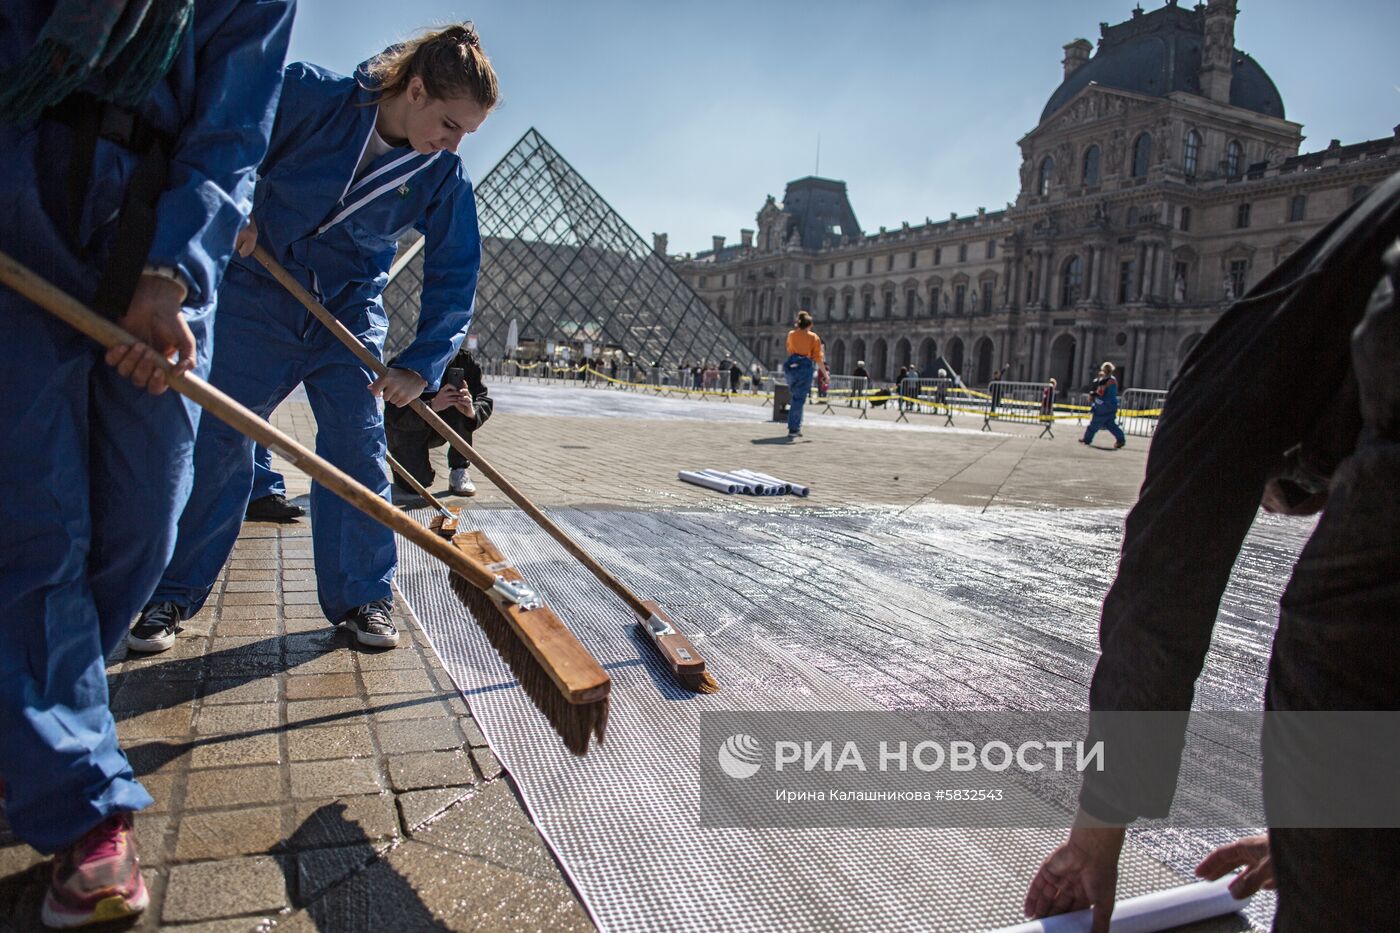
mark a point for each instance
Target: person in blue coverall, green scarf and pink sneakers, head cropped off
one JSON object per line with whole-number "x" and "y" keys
{"x": 93, "y": 469}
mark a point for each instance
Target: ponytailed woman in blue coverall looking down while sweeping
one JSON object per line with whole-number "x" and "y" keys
{"x": 355, "y": 163}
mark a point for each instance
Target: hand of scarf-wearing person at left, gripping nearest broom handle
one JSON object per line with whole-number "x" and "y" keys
{"x": 157, "y": 322}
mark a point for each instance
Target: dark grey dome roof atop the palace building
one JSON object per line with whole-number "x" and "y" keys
{"x": 1156, "y": 54}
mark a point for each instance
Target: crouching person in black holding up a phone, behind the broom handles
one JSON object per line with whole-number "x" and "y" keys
{"x": 464, "y": 403}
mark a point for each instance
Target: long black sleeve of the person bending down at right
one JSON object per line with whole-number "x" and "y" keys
{"x": 1223, "y": 432}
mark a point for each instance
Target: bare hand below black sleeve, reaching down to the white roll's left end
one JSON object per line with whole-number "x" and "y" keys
{"x": 1081, "y": 873}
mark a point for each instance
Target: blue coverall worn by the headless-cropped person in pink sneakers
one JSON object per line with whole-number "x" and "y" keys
{"x": 94, "y": 471}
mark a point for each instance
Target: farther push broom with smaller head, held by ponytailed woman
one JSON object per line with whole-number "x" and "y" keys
{"x": 675, "y": 649}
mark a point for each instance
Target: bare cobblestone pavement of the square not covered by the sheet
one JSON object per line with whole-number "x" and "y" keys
{"x": 309, "y": 785}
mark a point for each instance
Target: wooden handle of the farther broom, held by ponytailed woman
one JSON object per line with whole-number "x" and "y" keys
{"x": 458, "y": 443}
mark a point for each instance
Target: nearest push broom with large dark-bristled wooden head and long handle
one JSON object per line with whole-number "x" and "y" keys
{"x": 556, "y": 672}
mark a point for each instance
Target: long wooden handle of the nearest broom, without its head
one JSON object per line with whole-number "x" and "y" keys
{"x": 108, "y": 334}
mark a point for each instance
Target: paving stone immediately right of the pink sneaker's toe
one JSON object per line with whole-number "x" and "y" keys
{"x": 229, "y": 887}
